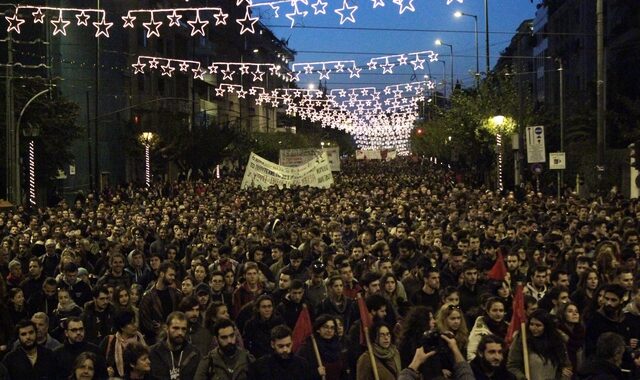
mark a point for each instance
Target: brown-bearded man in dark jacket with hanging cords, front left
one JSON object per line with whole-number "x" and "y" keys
{"x": 174, "y": 358}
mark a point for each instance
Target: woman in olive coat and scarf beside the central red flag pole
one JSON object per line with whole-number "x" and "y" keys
{"x": 385, "y": 353}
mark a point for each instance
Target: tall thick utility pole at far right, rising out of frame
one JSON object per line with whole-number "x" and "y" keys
{"x": 600, "y": 133}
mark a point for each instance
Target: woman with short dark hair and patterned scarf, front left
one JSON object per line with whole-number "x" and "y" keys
{"x": 113, "y": 346}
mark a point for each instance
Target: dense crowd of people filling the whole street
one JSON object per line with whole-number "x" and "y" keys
{"x": 201, "y": 280}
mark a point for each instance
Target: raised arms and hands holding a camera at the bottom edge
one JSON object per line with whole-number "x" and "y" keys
{"x": 461, "y": 369}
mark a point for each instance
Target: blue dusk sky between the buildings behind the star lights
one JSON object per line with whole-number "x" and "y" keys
{"x": 385, "y": 32}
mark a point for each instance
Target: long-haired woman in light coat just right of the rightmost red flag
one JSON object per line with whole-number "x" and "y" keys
{"x": 547, "y": 356}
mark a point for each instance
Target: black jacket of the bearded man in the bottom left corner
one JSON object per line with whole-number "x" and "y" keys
{"x": 19, "y": 367}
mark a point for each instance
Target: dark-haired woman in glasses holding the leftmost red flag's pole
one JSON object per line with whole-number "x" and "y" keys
{"x": 325, "y": 332}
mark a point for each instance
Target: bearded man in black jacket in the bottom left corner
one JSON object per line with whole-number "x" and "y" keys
{"x": 29, "y": 360}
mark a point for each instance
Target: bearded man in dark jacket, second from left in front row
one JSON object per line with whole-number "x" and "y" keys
{"x": 74, "y": 345}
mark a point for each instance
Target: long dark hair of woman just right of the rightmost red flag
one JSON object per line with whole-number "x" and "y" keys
{"x": 549, "y": 345}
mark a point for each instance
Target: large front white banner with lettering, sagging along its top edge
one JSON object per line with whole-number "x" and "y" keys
{"x": 263, "y": 174}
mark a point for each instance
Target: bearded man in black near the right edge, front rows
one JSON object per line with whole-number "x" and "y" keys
{"x": 609, "y": 318}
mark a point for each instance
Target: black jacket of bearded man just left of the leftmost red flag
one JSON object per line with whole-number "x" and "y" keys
{"x": 271, "y": 367}
